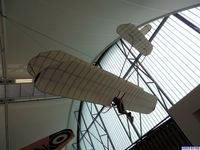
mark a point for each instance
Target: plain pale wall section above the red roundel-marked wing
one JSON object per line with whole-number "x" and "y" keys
{"x": 31, "y": 121}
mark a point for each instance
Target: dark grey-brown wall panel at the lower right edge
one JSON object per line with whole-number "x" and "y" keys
{"x": 183, "y": 113}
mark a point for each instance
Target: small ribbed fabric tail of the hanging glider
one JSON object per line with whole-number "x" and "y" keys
{"x": 136, "y": 38}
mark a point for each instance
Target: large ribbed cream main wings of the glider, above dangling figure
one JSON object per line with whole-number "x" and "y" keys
{"x": 59, "y": 73}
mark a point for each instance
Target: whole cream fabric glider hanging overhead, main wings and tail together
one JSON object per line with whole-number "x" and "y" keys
{"x": 59, "y": 73}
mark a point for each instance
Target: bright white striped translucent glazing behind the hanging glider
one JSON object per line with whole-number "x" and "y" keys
{"x": 170, "y": 72}
